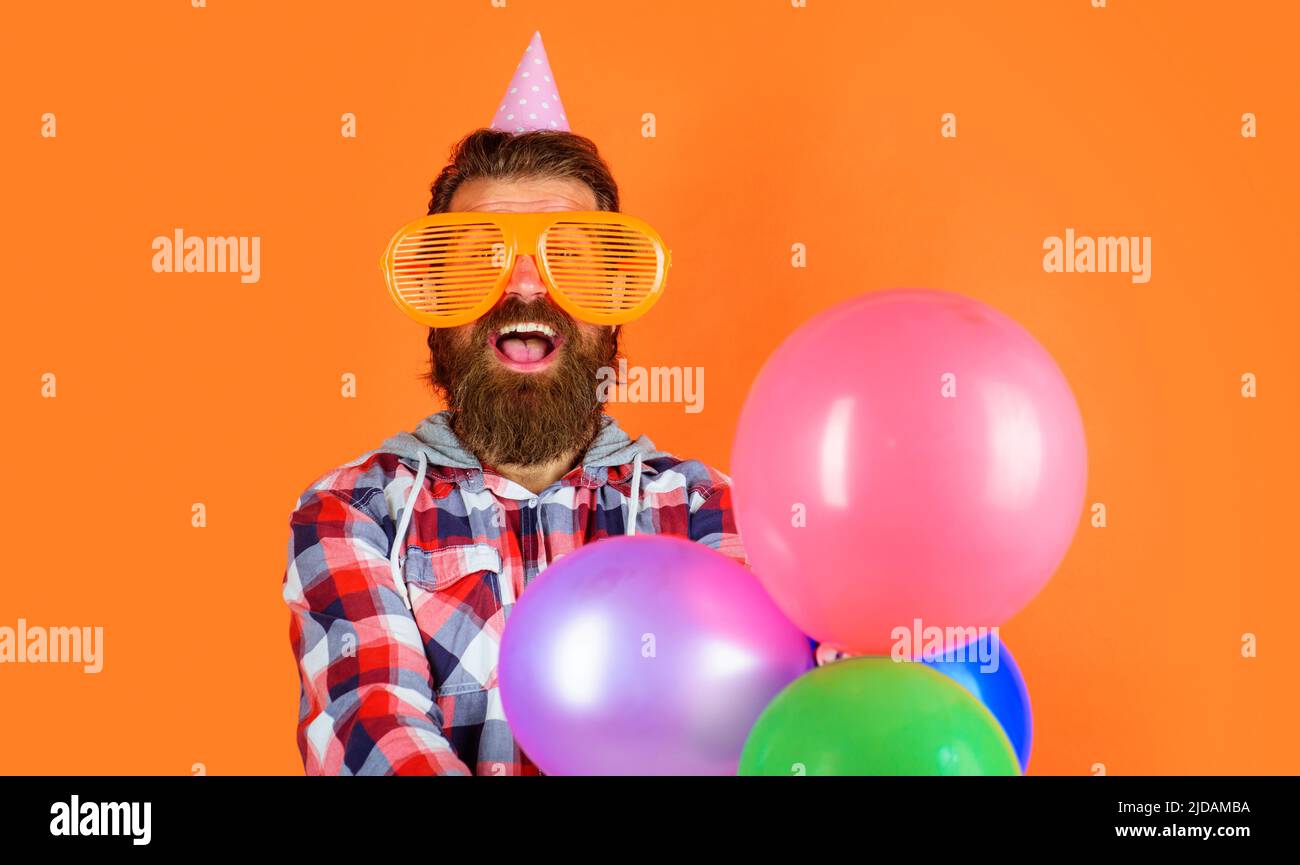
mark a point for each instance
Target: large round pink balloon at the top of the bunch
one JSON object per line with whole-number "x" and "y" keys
{"x": 908, "y": 455}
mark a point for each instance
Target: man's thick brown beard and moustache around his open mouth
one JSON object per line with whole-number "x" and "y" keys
{"x": 519, "y": 418}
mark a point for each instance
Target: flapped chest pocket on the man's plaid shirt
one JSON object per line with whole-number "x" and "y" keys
{"x": 457, "y": 604}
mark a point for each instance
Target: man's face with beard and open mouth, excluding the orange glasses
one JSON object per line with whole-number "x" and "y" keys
{"x": 522, "y": 380}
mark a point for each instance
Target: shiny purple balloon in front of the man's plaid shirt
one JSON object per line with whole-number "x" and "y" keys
{"x": 644, "y": 656}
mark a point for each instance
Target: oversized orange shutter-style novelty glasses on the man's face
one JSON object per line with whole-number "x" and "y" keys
{"x": 601, "y": 267}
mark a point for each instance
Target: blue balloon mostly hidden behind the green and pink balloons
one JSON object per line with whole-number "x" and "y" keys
{"x": 1000, "y": 689}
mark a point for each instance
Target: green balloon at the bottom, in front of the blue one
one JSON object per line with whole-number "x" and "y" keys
{"x": 877, "y": 717}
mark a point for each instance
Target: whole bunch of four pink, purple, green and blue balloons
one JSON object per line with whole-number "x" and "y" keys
{"x": 908, "y": 461}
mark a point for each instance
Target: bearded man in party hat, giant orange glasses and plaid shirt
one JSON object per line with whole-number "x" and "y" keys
{"x": 405, "y": 564}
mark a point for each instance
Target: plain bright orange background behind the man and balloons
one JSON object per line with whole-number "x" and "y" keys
{"x": 775, "y": 126}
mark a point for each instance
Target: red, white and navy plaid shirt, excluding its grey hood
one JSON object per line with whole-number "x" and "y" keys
{"x": 389, "y": 690}
